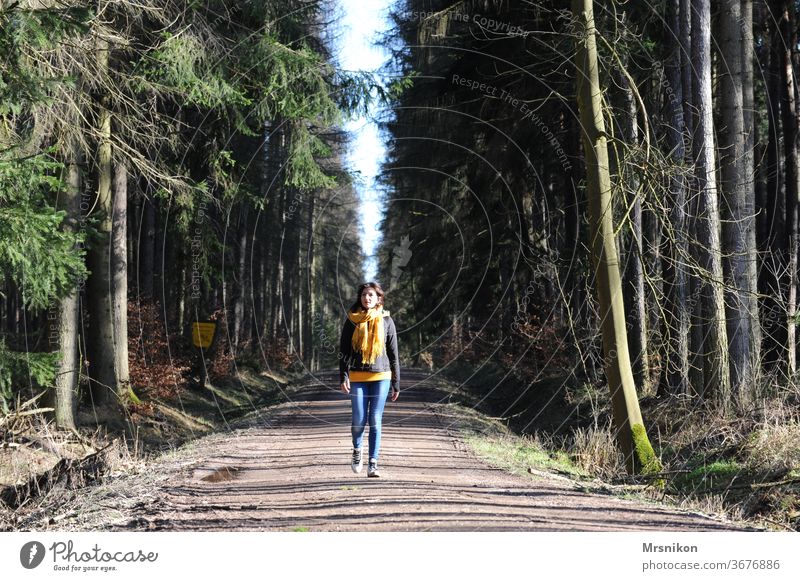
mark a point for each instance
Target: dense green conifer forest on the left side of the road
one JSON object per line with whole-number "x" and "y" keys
{"x": 165, "y": 164}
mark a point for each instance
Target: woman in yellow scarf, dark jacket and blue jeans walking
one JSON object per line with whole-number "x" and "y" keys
{"x": 368, "y": 367}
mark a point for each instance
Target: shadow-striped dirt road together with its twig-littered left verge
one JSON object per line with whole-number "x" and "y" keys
{"x": 286, "y": 467}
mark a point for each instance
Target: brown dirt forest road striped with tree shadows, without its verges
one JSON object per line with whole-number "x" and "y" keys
{"x": 290, "y": 470}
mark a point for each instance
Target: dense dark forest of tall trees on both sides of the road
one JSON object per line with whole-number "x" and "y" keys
{"x": 169, "y": 162}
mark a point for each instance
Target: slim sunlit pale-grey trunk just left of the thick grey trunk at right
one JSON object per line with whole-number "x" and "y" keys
{"x": 716, "y": 373}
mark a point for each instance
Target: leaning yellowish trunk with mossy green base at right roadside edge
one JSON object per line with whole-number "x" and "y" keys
{"x": 630, "y": 432}
